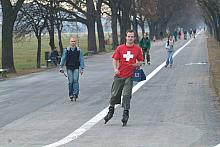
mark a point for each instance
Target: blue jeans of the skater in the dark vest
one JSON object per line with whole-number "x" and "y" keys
{"x": 73, "y": 77}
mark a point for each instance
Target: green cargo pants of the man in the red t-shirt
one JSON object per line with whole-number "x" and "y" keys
{"x": 121, "y": 86}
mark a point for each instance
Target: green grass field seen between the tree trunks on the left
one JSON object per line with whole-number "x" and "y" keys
{"x": 25, "y": 51}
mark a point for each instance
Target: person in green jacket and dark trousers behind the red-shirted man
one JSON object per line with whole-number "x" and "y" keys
{"x": 145, "y": 45}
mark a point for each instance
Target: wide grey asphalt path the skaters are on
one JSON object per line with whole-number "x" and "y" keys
{"x": 175, "y": 108}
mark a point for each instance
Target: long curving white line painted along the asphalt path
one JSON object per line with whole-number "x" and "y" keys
{"x": 85, "y": 127}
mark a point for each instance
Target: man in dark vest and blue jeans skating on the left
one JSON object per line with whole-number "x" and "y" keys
{"x": 73, "y": 59}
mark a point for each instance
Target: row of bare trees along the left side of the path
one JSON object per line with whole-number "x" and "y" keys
{"x": 40, "y": 16}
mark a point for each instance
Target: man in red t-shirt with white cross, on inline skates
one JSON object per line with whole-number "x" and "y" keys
{"x": 126, "y": 58}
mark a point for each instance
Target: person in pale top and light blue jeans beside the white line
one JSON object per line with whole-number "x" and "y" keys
{"x": 170, "y": 50}
